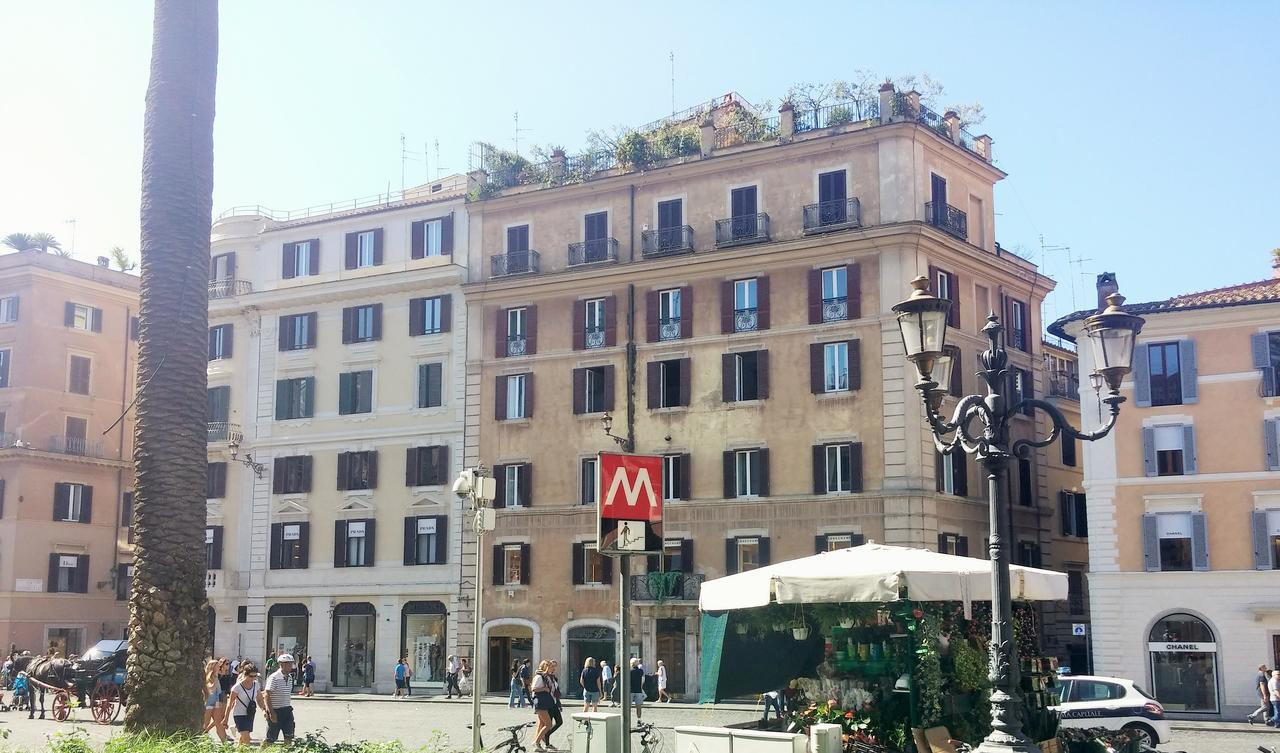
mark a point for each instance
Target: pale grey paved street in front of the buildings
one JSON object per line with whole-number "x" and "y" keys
{"x": 415, "y": 723}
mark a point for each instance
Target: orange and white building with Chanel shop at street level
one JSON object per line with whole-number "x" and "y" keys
{"x": 1185, "y": 501}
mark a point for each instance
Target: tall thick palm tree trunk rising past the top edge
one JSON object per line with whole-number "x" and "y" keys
{"x": 168, "y": 626}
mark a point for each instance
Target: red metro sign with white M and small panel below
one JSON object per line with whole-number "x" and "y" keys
{"x": 629, "y": 498}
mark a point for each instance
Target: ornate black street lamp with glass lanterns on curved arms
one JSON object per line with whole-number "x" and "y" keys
{"x": 924, "y": 322}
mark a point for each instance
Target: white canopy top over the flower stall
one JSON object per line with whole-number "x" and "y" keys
{"x": 875, "y": 573}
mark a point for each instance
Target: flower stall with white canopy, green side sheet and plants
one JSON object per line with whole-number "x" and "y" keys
{"x": 885, "y": 641}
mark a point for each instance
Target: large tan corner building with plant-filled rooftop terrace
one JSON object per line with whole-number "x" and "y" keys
{"x": 730, "y": 311}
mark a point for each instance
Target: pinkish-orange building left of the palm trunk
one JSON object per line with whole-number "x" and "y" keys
{"x": 68, "y": 354}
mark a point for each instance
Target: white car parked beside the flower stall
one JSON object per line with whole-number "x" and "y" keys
{"x": 1113, "y": 704}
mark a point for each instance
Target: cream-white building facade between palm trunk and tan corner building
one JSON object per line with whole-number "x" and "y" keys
{"x": 336, "y": 409}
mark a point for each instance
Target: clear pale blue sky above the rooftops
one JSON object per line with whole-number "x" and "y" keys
{"x": 1140, "y": 136}
